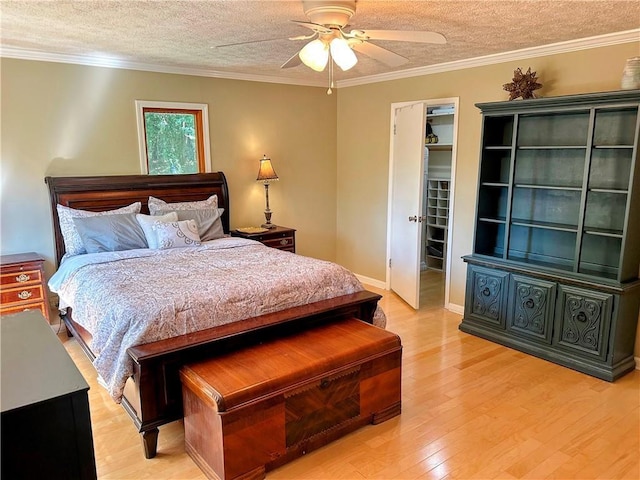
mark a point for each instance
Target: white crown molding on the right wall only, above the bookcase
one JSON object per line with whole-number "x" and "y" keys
{"x": 628, "y": 36}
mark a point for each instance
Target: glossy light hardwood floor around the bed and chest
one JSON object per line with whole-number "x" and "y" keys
{"x": 471, "y": 409}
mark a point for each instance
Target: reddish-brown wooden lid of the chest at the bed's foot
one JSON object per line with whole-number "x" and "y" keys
{"x": 268, "y": 368}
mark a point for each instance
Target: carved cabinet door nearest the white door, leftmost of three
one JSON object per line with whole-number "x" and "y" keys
{"x": 488, "y": 289}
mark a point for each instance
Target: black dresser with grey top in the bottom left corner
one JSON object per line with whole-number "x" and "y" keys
{"x": 46, "y": 425}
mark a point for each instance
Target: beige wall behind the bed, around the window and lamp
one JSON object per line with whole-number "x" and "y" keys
{"x": 60, "y": 119}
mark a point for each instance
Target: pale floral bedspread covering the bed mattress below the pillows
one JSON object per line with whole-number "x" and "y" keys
{"x": 139, "y": 296}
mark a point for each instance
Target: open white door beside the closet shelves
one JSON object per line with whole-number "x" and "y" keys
{"x": 406, "y": 202}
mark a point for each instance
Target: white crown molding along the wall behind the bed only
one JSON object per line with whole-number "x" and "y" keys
{"x": 106, "y": 62}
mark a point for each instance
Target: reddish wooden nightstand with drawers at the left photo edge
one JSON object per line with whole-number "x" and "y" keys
{"x": 22, "y": 284}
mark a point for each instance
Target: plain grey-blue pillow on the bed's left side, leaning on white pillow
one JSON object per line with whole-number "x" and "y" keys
{"x": 110, "y": 233}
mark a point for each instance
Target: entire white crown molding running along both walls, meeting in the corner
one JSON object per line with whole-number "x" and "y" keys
{"x": 628, "y": 36}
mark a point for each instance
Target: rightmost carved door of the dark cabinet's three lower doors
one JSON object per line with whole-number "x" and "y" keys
{"x": 583, "y": 321}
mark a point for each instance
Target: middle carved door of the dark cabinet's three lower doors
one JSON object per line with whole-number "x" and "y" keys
{"x": 531, "y": 307}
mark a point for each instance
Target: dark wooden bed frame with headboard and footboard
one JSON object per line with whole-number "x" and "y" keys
{"x": 153, "y": 395}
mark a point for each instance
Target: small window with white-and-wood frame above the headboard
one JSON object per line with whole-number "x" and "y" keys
{"x": 173, "y": 137}
